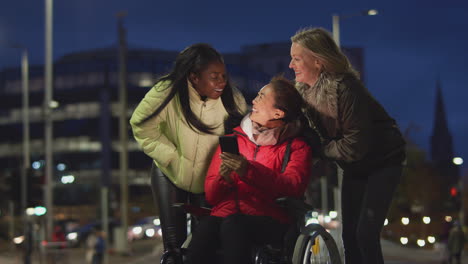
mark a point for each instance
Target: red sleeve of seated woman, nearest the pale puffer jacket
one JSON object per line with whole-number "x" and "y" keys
{"x": 216, "y": 188}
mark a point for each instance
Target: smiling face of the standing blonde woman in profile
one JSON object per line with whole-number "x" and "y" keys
{"x": 306, "y": 66}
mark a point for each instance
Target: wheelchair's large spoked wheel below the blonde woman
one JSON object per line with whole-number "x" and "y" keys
{"x": 315, "y": 246}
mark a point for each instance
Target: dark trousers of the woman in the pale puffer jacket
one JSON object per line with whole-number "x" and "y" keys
{"x": 173, "y": 220}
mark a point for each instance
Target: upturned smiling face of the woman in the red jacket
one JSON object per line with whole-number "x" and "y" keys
{"x": 263, "y": 108}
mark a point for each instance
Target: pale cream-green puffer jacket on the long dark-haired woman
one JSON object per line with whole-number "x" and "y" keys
{"x": 181, "y": 153}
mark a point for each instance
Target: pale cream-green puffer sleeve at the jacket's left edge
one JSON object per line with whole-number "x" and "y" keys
{"x": 151, "y": 135}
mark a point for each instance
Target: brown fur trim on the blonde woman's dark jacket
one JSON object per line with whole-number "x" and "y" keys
{"x": 323, "y": 96}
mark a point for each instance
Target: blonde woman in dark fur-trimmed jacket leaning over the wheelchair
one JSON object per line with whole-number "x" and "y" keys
{"x": 356, "y": 132}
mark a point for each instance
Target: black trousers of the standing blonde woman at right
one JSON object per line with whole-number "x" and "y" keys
{"x": 365, "y": 202}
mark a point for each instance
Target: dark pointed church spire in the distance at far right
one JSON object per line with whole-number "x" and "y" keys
{"x": 441, "y": 139}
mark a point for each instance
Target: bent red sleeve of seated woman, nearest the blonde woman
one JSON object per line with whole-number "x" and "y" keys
{"x": 292, "y": 182}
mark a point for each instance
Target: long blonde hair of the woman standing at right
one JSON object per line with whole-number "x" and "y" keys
{"x": 320, "y": 42}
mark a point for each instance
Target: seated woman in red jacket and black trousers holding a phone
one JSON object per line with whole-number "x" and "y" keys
{"x": 242, "y": 188}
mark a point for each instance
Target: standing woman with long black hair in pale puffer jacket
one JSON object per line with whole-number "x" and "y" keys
{"x": 177, "y": 124}
